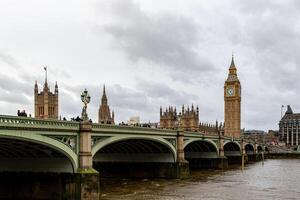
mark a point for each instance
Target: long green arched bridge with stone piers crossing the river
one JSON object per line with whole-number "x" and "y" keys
{"x": 82, "y": 149}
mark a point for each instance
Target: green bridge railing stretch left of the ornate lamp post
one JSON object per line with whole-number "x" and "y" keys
{"x": 28, "y": 122}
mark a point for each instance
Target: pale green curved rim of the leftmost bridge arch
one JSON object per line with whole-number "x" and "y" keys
{"x": 44, "y": 141}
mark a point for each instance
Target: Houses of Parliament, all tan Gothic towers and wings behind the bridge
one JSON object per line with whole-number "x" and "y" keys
{"x": 46, "y": 107}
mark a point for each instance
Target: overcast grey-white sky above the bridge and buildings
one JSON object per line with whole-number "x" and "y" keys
{"x": 151, "y": 54}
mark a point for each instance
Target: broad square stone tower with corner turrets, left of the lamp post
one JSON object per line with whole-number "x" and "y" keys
{"x": 45, "y": 102}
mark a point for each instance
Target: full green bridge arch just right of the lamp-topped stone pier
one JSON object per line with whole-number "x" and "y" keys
{"x": 135, "y": 144}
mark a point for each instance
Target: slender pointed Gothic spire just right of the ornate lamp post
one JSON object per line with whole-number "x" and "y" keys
{"x": 104, "y": 116}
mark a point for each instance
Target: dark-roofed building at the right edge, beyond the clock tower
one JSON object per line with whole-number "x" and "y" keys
{"x": 289, "y": 127}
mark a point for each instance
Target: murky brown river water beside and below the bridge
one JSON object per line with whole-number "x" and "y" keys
{"x": 275, "y": 179}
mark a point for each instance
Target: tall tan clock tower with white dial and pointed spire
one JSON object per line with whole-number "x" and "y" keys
{"x": 232, "y": 103}
